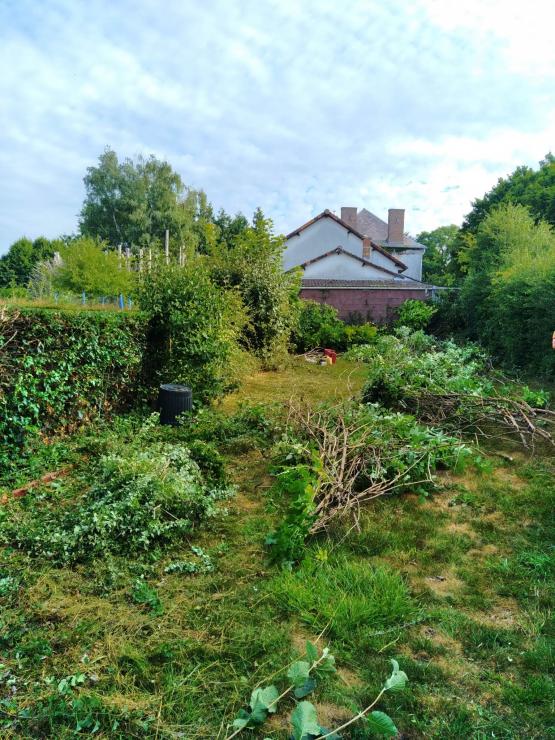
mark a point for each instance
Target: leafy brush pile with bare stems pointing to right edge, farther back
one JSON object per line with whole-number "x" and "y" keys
{"x": 453, "y": 388}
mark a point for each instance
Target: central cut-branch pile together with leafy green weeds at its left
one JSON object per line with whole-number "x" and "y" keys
{"x": 338, "y": 458}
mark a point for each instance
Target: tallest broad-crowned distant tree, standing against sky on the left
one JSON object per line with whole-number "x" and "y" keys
{"x": 133, "y": 203}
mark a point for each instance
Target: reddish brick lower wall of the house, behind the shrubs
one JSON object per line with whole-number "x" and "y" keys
{"x": 374, "y": 305}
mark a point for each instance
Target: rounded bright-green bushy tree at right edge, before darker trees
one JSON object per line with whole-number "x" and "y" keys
{"x": 506, "y": 301}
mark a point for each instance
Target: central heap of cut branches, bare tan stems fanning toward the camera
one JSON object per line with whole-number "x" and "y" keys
{"x": 364, "y": 453}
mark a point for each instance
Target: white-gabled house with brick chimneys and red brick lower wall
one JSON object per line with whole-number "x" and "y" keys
{"x": 358, "y": 263}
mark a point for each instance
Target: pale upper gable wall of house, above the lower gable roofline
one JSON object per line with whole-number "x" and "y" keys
{"x": 319, "y": 238}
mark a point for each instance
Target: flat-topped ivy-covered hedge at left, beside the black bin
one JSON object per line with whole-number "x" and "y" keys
{"x": 59, "y": 369}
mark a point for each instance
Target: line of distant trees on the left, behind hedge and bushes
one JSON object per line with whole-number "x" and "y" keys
{"x": 128, "y": 204}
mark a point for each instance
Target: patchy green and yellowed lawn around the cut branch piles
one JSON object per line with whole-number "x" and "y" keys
{"x": 459, "y": 588}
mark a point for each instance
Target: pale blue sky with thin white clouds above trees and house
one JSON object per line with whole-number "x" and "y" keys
{"x": 290, "y": 105}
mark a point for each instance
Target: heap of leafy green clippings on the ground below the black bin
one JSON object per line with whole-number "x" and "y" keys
{"x": 143, "y": 495}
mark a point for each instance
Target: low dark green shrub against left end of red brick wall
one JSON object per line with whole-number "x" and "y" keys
{"x": 318, "y": 325}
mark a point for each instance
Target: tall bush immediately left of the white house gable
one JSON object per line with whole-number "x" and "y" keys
{"x": 252, "y": 266}
